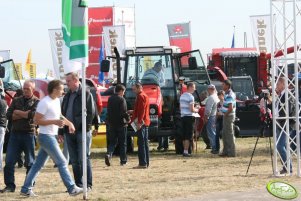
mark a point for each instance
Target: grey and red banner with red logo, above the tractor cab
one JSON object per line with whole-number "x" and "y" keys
{"x": 179, "y": 35}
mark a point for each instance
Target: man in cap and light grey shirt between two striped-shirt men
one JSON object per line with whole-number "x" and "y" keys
{"x": 210, "y": 117}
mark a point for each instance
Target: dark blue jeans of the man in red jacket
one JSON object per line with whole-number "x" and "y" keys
{"x": 143, "y": 149}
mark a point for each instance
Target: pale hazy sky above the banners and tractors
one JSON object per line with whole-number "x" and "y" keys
{"x": 25, "y": 23}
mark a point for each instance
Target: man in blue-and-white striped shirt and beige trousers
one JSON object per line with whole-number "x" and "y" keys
{"x": 228, "y": 109}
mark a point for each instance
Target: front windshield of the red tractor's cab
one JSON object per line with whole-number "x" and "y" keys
{"x": 150, "y": 69}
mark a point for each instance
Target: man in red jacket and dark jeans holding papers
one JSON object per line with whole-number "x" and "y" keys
{"x": 140, "y": 115}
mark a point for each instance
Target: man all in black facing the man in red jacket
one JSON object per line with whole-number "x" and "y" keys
{"x": 117, "y": 119}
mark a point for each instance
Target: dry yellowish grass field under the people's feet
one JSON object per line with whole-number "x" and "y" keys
{"x": 169, "y": 176}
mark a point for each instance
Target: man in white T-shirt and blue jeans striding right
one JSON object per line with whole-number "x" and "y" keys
{"x": 48, "y": 117}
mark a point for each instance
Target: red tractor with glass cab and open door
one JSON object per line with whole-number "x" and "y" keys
{"x": 164, "y": 98}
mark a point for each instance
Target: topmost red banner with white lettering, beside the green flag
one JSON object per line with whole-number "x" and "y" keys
{"x": 98, "y": 18}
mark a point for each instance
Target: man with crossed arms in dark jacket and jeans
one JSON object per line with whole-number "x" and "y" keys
{"x": 21, "y": 112}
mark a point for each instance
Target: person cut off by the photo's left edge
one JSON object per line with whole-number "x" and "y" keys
{"x": 3, "y": 121}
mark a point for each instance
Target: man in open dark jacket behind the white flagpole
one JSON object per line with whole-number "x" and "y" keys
{"x": 72, "y": 110}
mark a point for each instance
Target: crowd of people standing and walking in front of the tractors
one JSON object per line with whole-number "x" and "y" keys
{"x": 57, "y": 118}
